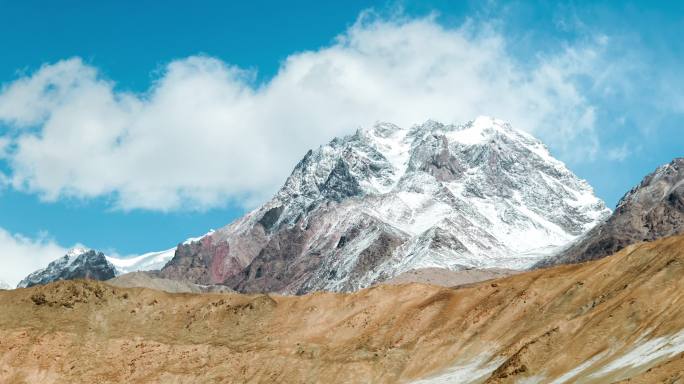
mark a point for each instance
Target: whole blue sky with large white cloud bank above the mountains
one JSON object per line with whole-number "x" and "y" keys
{"x": 609, "y": 75}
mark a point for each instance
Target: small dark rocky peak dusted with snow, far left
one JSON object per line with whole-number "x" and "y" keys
{"x": 77, "y": 264}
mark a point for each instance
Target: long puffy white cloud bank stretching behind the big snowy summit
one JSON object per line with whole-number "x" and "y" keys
{"x": 205, "y": 133}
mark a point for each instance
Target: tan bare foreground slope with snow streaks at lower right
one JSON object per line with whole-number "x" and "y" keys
{"x": 602, "y": 321}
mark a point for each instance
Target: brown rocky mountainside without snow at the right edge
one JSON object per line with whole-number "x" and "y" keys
{"x": 651, "y": 210}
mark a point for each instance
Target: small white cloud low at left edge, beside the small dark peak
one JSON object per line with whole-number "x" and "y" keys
{"x": 20, "y": 255}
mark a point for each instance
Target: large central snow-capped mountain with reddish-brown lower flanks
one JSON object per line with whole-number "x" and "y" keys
{"x": 369, "y": 206}
